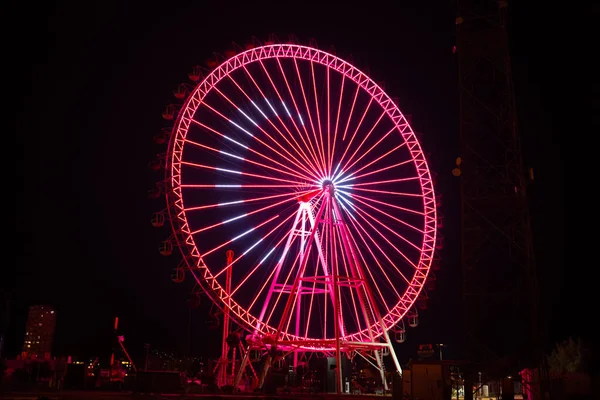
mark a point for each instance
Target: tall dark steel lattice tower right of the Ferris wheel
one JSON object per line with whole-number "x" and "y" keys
{"x": 499, "y": 283}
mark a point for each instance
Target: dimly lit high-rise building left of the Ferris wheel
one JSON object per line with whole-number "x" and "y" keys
{"x": 39, "y": 331}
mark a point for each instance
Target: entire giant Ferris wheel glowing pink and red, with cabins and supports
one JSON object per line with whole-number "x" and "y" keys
{"x": 306, "y": 169}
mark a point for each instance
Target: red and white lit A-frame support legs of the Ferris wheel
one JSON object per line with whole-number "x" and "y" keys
{"x": 328, "y": 222}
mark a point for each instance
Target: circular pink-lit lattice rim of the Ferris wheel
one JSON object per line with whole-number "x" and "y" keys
{"x": 184, "y": 235}
